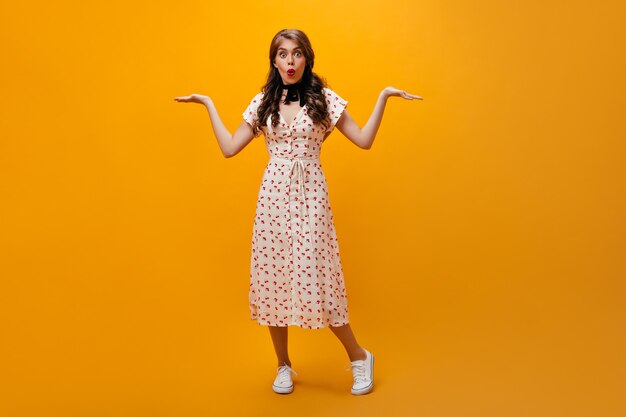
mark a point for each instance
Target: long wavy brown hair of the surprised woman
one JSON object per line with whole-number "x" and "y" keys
{"x": 312, "y": 85}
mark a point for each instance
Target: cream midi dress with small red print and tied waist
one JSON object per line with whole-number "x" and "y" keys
{"x": 296, "y": 276}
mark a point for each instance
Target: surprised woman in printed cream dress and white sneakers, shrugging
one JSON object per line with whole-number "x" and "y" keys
{"x": 296, "y": 276}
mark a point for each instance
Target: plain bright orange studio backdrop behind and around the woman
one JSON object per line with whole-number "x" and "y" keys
{"x": 482, "y": 237}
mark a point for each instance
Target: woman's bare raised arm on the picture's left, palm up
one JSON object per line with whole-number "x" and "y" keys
{"x": 230, "y": 145}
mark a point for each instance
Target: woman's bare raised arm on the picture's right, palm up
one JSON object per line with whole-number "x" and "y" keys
{"x": 364, "y": 138}
